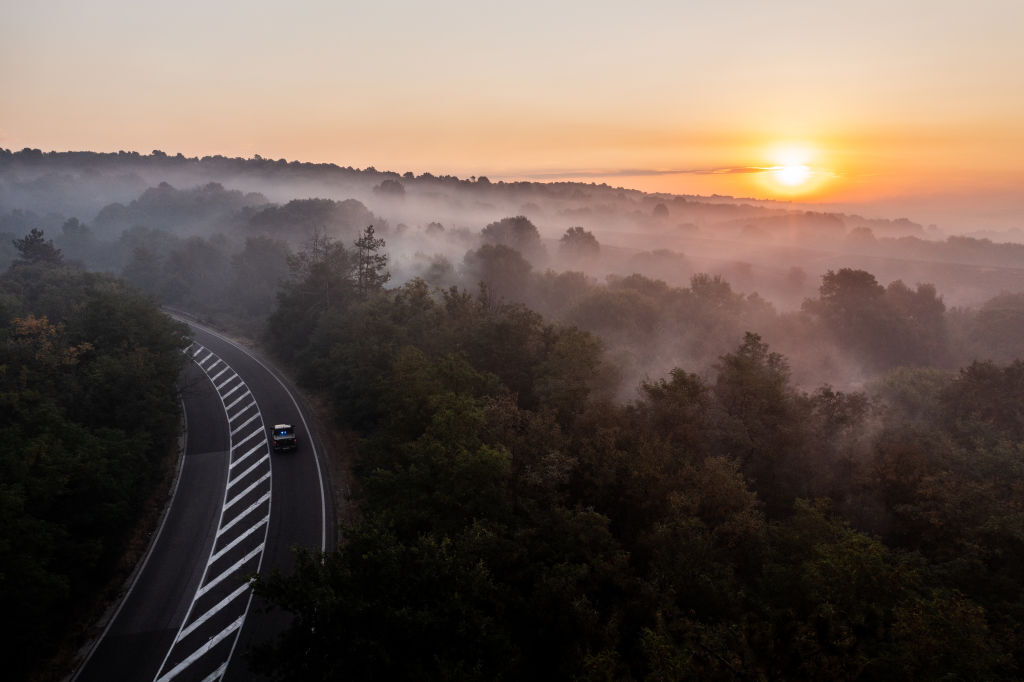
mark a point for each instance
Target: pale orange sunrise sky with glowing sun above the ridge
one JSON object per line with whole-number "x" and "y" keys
{"x": 867, "y": 102}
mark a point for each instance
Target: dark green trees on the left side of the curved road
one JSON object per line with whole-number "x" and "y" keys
{"x": 89, "y": 407}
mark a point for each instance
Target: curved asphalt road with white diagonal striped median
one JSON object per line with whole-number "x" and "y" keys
{"x": 238, "y": 509}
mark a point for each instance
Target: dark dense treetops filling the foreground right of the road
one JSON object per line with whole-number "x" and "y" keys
{"x": 519, "y": 524}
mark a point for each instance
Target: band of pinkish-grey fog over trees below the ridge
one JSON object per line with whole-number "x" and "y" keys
{"x": 665, "y": 281}
